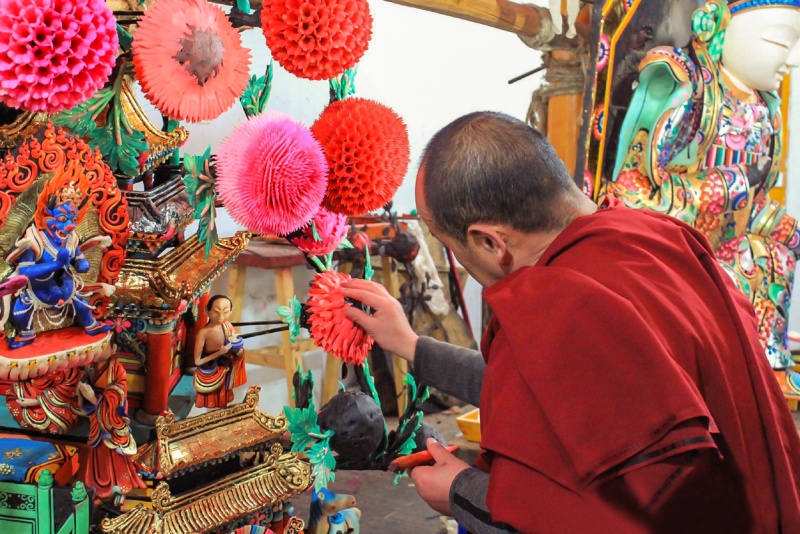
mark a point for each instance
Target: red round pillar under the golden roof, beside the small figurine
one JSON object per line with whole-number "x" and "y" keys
{"x": 159, "y": 365}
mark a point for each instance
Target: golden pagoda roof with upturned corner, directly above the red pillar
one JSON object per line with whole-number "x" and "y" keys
{"x": 158, "y": 287}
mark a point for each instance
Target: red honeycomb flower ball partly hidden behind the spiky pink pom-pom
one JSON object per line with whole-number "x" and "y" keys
{"x": 366, "y": 145}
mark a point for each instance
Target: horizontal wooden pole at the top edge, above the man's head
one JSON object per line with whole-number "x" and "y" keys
{"x": 501, "y": 14}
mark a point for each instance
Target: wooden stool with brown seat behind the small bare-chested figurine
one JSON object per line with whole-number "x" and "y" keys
{"x": 280, "y": 258}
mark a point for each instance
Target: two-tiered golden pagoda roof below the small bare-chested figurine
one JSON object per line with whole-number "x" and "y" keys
{"x": 215, "y": 471}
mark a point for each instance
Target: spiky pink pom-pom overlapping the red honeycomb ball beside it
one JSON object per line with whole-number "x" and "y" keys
{"x": 271, "y": 174}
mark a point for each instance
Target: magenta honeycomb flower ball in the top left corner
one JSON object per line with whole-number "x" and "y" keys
{"x": 54, "y": 54}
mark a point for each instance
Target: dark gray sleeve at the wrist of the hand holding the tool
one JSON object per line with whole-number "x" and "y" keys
{"x": 468, "y": 503}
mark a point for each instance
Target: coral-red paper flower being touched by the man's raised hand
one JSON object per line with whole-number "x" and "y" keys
{"x": 330, "y": 328}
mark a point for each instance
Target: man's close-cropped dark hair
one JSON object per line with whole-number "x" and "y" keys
{"x": 488, "y": 167}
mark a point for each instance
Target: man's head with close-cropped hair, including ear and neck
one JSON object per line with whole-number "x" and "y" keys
{"x": 493, "y": 189}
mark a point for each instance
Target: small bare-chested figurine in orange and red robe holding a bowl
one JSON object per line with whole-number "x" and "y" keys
{"x": 219, "y": 357}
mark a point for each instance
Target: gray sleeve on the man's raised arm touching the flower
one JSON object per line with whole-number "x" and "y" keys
{"x": 450, "y": 369}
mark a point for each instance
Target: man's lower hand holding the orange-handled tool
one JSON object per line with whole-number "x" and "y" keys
{"x": 433, "y": 483}
